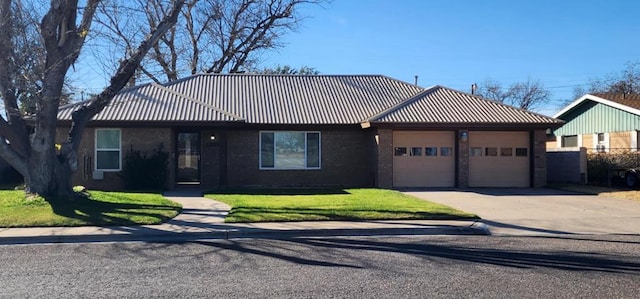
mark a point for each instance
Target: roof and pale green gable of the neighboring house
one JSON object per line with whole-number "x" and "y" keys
{"x": 602, "y": 113}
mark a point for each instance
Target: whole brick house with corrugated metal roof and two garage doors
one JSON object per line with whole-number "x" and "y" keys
{"x": 295, "y": 130}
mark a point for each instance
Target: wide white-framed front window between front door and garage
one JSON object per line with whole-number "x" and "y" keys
{"x": 289, "y": 150}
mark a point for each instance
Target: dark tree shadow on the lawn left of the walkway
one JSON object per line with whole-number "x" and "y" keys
{"x": 95, "y": 212}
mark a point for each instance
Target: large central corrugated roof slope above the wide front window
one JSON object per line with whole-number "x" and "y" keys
{"x": 297, "y": 99}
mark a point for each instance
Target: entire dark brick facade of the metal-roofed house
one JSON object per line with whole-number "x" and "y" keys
{"x": 350, "y": 157}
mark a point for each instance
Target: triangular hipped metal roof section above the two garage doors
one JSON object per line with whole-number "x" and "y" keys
{"x": 443, "y": 105}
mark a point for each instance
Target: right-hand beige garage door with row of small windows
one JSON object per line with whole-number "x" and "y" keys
{"x": 499, "y": 159}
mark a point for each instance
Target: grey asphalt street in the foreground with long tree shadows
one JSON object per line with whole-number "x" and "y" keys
{"x": 347, "y": 267}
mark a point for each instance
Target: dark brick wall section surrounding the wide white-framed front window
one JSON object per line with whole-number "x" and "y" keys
{"x": 344, "y": 161}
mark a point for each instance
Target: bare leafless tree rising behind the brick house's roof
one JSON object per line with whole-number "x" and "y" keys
{"x": 214, "y": 36}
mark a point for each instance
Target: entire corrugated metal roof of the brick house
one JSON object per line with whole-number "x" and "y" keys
{"x": 302, "y": 99}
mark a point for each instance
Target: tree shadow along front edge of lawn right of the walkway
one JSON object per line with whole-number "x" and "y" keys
{"x": 342, "y": 215}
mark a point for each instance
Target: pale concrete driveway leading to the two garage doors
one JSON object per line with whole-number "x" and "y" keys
{"x": 541, "y": 211}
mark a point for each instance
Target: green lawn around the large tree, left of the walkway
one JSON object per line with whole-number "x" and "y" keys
{"x": 102, "y": 208}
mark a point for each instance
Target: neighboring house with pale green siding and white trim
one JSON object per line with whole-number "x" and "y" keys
{"x": 600, "y": 123}
